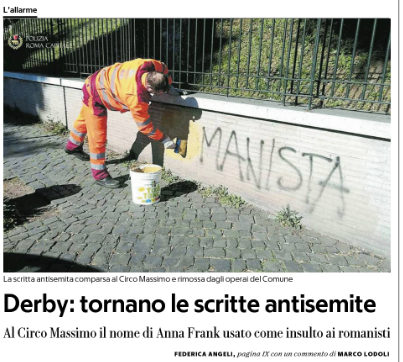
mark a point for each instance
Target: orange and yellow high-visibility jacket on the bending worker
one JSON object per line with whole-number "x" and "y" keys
{"x": 122, "y": 87}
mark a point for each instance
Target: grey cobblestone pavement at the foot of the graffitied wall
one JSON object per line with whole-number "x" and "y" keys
{"x": 98, "y": 229}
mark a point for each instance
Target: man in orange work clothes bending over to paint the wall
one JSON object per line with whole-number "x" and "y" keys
{"x": 120, "y": 87}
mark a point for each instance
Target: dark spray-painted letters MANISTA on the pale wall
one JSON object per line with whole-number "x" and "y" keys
{"x": 260, "y": 169}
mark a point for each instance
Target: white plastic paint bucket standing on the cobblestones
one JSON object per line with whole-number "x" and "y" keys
{"x": 146, "y": 187}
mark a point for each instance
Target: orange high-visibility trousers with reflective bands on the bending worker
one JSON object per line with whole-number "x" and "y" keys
{"x": 91, "y": 121}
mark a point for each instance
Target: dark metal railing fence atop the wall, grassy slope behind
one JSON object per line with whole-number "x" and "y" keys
{"x": 314, "y": 63}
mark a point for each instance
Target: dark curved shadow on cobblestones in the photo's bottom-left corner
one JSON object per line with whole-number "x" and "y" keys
{"x": 23, "y": 263}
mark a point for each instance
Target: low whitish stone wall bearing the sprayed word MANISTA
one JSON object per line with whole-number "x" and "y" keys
{"x": 333, "y": 167}
